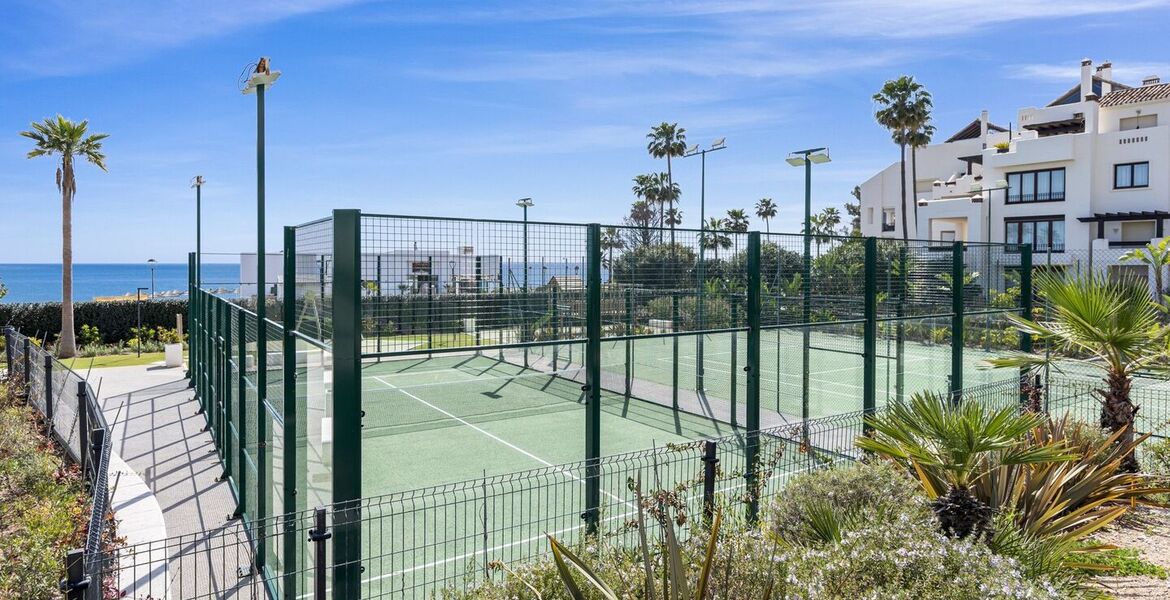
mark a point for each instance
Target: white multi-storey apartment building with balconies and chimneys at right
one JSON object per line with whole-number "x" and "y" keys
{"x": 1091, "y": 171}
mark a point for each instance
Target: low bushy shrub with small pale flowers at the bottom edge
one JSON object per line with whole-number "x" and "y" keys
{"x": 893, "y": 550}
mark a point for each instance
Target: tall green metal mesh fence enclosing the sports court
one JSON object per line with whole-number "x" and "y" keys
{"x": 742, "y": 332}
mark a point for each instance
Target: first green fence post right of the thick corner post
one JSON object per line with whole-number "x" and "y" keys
{"x": 594, "y": 381}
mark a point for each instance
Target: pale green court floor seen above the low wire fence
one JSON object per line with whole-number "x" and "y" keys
{"x": 453, "y": 418}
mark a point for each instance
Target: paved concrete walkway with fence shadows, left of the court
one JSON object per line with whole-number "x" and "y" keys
{"x": 157, "y": 431}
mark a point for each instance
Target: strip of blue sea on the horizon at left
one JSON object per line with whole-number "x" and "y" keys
{"x": 43, "y": 282}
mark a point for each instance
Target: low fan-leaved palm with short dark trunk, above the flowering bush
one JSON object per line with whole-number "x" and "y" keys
{"x": 952, "y": 447}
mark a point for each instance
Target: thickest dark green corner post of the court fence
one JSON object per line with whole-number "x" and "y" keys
{"x": 347, "y": 347}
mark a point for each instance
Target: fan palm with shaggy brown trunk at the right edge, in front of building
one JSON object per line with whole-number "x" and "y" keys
{"x": 1111, "y": 327}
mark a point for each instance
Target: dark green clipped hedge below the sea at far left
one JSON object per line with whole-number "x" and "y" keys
{"x": 114, "y": 320}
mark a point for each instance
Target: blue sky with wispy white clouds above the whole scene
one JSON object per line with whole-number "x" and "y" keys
{"x": 459, "y": 108}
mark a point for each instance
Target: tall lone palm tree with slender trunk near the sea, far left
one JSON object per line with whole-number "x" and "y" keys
{"x": 70, "y": 141}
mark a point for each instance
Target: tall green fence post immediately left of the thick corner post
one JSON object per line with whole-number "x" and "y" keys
{"x": 292, "y": 378}
